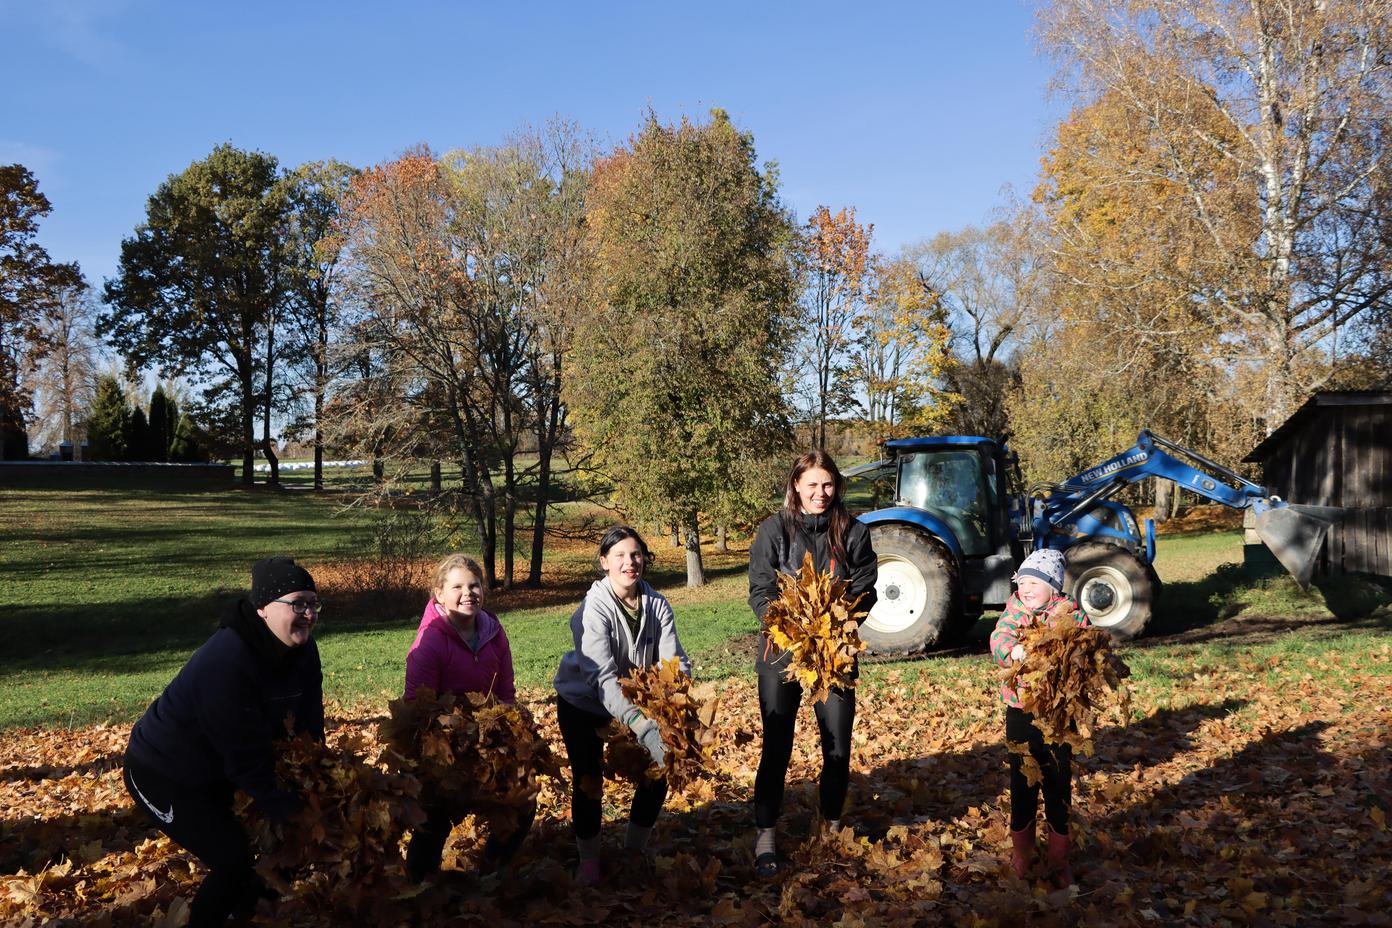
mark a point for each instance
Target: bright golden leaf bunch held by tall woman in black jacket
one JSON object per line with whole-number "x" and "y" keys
{"x": 818, "y": 624}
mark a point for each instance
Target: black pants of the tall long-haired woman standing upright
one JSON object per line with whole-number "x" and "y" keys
{"x": 779, "y": 702}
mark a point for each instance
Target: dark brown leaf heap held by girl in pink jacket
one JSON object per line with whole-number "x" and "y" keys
{"x": 473, "y": 753}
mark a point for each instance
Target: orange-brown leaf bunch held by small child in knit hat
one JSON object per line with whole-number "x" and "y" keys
{"x": 1071, "y": 675}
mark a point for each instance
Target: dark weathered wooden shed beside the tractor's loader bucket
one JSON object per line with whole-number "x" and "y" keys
{"x": 1337, "y": 451}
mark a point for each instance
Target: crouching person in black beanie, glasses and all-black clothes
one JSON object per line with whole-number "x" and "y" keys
{"x": 211, "y": 733}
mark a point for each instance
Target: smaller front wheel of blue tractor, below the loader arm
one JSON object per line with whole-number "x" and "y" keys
{"x": 1113, "y": 586}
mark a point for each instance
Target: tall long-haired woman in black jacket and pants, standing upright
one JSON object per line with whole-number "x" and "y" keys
{"x": 814, "y": 520}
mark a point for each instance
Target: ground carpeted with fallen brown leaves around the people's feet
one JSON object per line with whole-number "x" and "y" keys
{"x": 1248, "y": 791}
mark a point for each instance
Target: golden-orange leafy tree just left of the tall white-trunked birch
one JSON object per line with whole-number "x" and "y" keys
{"x": 1135, "y": 347}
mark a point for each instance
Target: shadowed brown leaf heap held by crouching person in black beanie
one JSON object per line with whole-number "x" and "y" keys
{"x": 340, "y": 852}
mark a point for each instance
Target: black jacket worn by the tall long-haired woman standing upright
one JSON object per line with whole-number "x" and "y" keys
{"x": 779, "y": 552}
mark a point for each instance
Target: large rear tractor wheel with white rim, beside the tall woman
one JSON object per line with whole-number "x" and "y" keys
{"x": 917, "y": 588}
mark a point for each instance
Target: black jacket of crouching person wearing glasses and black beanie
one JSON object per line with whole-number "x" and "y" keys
{"x": 214, "y": 726}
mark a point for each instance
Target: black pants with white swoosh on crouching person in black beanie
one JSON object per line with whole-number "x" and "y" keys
{"x": 201, "y": 822}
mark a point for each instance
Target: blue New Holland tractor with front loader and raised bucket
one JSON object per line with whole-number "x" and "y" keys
{"x": 961, "y": 524}
